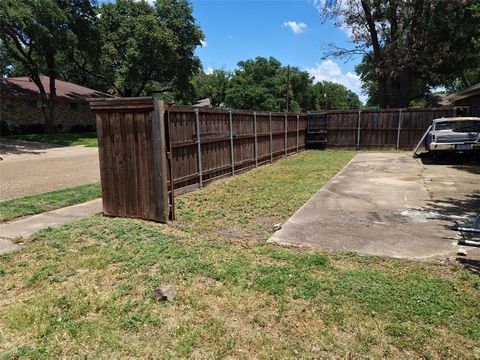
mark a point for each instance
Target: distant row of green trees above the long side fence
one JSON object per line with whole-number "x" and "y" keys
{"x": 261, "y": 84}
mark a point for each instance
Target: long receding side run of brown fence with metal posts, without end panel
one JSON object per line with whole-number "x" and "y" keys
{"x": 211, "y": 143}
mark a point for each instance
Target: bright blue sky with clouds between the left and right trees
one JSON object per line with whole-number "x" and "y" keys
{"x": 290, "y": 31}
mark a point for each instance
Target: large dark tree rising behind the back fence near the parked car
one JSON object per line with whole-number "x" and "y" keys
{"x": 407, "y": 47}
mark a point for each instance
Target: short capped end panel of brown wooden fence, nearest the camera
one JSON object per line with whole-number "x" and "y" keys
{"x": 133, "y": 157}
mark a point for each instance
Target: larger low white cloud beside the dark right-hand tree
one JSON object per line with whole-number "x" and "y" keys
{"x": 329, "y": 70}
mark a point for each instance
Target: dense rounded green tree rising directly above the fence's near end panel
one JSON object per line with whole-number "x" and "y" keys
{"x": 147, "y": 49}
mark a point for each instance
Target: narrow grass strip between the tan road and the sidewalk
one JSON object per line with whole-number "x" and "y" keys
{"x": 34, "y": 204}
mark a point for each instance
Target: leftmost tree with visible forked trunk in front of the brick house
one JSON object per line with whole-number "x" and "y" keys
{"x": 34, "y": 32}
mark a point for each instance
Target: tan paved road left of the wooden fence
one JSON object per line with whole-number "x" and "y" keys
{"x": 29, "y": 168}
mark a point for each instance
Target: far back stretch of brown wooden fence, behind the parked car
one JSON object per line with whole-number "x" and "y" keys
{"x": 374, "y": 129}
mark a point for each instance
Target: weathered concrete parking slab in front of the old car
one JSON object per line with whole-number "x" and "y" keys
{"x": 388, "y": 204}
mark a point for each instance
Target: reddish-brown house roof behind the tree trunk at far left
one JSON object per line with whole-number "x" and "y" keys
{"x": 24, "y": 86}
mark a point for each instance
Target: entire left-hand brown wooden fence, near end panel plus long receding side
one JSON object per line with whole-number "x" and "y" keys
{"x": 148, "y": 151}
